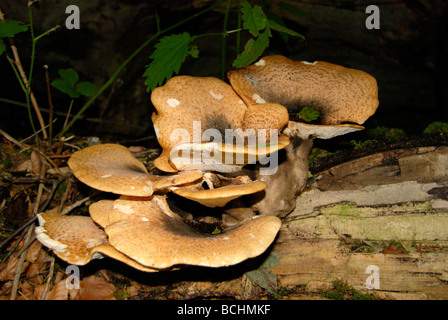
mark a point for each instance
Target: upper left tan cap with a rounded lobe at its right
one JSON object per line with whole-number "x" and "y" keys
{"x": 193, "y": 110}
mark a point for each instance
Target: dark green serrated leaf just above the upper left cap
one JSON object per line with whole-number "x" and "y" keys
{"x": 171, "y": 51}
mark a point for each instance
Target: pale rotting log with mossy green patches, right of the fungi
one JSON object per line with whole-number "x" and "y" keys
{"x": 388, "y": 210}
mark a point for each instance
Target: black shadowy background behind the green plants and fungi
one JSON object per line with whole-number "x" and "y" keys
{"x": 407, "y": 55}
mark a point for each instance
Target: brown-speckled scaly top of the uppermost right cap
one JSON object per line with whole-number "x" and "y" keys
{"x": 340, "y": 94}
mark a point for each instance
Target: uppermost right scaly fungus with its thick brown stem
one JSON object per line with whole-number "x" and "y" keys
{"x": 345, "y": 98}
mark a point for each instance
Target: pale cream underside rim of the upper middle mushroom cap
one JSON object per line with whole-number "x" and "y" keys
{"x": 222, "y": 157}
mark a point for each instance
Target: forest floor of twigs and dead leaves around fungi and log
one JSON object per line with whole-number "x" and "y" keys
{"x": 34, "y": 180}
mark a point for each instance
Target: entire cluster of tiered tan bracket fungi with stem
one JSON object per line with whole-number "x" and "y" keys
{"x": 209, "y": 131}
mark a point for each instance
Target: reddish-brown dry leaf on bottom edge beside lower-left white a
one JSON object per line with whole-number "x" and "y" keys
{"x": 95, "y": 288}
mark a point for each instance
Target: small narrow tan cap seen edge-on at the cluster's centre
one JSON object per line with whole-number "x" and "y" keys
{"x": 219, "y": 197}
